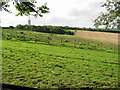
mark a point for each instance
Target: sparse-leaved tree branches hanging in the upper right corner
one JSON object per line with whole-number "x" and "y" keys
{"x": 110, "y": 19}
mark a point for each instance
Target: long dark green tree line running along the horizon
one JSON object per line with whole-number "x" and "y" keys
{"x": 59, "y": 29}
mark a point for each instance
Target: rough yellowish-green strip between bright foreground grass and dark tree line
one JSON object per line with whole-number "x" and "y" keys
{"x": 57, "y": 39}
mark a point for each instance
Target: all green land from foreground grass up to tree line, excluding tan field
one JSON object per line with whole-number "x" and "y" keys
{"x": 57, "y": 61}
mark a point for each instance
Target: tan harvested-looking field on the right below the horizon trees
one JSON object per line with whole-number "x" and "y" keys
{"x": 101, "y": 36}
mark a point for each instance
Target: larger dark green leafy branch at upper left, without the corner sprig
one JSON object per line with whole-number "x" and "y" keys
{"x": 25, "y": 8}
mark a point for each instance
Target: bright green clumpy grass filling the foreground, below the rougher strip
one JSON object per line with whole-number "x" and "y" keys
{"x": 47, "y": 66}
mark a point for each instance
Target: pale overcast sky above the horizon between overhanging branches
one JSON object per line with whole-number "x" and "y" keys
{"x": 77, "y": 13}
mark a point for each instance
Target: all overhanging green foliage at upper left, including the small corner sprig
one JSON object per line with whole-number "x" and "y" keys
{"x": 25, "y": 7}
